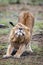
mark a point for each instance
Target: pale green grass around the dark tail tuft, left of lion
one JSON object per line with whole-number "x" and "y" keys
{"x": 6, "y": 23}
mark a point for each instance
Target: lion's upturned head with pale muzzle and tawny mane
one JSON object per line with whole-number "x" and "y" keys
{"x": 20, "y": 33}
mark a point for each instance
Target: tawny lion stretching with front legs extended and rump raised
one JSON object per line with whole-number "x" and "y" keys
{"x": 20, "y": 35}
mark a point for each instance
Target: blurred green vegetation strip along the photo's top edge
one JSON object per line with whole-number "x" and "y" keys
{"x": 19, "y": 1}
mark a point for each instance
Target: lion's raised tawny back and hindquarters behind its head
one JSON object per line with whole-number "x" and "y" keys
{"x": 27, "y": 19}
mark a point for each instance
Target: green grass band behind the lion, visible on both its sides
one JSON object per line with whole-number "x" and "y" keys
{"x": 37, "y": 26}
